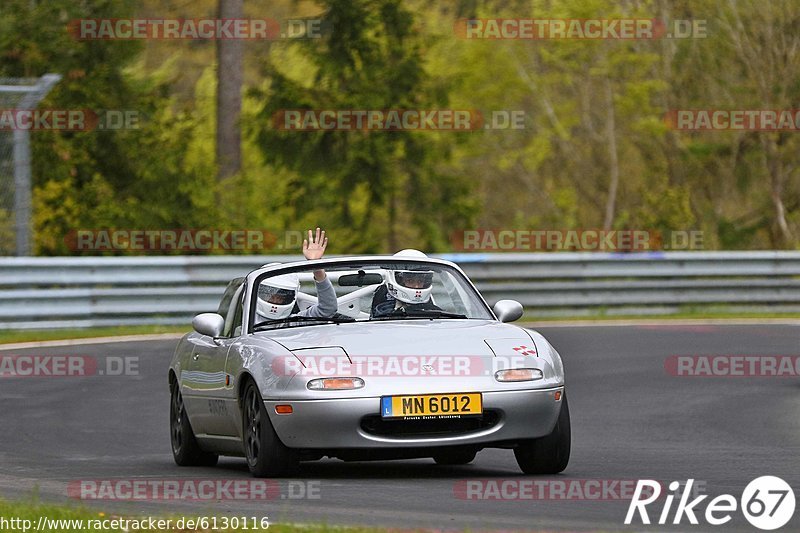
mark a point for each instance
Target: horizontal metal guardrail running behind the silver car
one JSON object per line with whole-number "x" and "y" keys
{"x": 96, "y": 291}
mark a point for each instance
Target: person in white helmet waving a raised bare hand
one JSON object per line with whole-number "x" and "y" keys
{"x": 277, "y": 296}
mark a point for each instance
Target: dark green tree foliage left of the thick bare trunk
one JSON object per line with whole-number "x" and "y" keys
{"x": 130, "y": 178}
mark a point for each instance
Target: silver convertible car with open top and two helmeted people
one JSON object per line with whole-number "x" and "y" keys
{"x": 365, "y": 358}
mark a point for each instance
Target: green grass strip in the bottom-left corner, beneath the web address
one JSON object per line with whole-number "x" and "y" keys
{"x": 93, "y": 520}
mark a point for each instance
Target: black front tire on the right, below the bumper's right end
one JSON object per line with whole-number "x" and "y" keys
{"x": 548, "y": 454}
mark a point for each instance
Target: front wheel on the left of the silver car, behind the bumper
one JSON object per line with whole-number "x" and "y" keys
{"x": 266, "y": 455}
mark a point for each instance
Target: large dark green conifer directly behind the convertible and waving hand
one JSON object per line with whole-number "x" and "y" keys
{"x": 383, "y": 187}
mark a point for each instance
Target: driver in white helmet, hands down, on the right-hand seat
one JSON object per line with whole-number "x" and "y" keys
{"x": 408, "y": 290}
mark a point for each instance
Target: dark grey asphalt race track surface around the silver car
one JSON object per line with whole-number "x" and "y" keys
{"x": 630, "y": 420}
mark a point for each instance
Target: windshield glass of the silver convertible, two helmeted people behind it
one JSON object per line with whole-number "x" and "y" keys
{"x": 384, "y": 291}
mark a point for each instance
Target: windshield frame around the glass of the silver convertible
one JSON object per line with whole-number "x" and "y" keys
{"x": 255, "y": 277}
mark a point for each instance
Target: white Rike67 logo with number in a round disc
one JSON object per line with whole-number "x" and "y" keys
{"x": 767, "y": 503}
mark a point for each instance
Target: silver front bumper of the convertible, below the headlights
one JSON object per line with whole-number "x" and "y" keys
{"x": 337, "y": 423}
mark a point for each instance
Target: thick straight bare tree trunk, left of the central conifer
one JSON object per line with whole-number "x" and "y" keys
{"x": 229, "y": 94}
